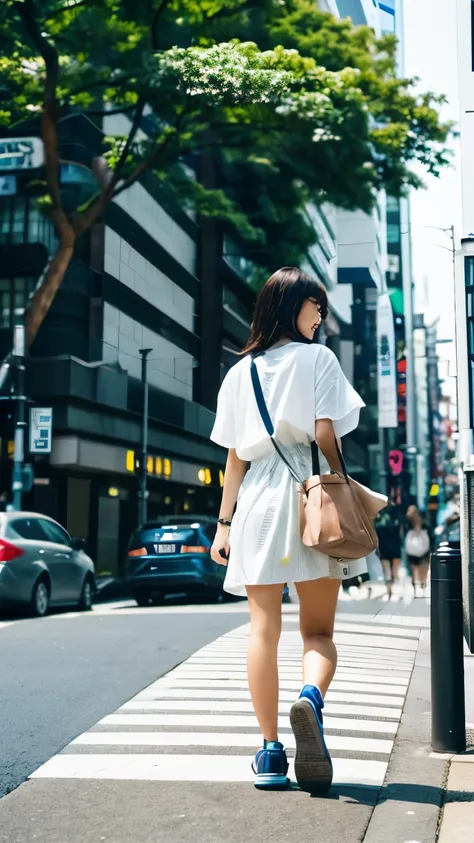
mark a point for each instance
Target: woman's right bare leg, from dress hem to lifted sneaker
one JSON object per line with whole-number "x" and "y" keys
{"x": 318, "y": 600}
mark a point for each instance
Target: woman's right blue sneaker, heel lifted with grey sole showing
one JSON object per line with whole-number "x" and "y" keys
{"x": 313, "y": 766}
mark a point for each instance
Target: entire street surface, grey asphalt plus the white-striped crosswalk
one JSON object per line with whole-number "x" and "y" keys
{"x": 136, "y": 725}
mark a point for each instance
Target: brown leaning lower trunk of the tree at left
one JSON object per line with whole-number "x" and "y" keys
{"x": 46, "y": 292}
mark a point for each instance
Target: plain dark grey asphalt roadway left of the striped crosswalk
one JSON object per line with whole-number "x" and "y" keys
{"x": 60, "y": 674}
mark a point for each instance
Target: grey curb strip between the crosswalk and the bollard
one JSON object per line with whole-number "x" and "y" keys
{"x": 409, "y": 803}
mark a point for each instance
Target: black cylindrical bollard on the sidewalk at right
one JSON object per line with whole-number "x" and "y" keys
{"x": 448, "y": 713}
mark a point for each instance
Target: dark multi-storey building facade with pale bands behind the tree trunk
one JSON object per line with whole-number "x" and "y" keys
{"x": 136, "y": 281}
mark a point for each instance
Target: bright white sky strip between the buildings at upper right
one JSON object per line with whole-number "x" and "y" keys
{"x": 430, "y": 54}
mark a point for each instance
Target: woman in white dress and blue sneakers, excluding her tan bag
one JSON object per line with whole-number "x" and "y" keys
{"x": 307, "y": 398}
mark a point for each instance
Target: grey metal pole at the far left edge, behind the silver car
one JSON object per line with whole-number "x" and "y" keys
{"x": 20, "y": 422}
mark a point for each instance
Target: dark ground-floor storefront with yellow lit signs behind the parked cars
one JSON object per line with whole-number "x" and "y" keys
{"x": 91, "y": 488}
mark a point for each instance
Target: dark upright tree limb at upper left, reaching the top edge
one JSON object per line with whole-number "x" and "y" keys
{"x": 49, "y": 129}
